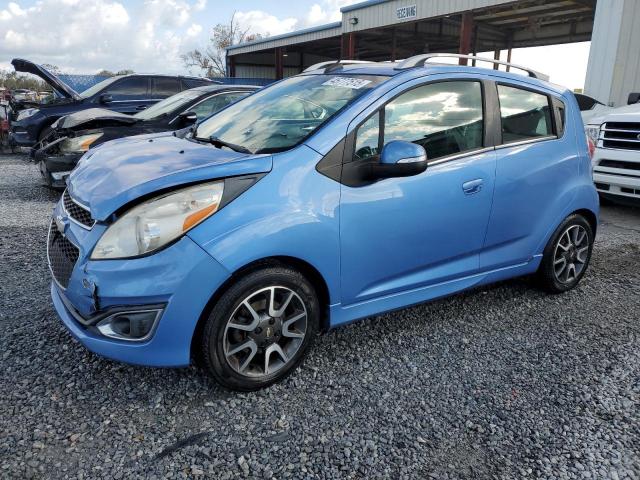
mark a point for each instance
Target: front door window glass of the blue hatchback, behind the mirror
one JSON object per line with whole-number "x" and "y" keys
{"x": 445, "y": 118}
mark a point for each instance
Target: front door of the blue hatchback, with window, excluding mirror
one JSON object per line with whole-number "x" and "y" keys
{"x": 401, "y": 234}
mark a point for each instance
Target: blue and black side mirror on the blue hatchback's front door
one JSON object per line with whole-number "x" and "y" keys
{"x": 399, "y": 159}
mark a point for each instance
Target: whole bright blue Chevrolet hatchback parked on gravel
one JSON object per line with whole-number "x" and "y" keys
{"x": 344, "y": 192}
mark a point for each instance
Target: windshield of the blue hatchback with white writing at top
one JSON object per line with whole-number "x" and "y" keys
{"x": 283, "y": 115}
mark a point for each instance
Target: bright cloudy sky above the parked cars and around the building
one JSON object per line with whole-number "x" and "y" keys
{"x": 85, "y": 36}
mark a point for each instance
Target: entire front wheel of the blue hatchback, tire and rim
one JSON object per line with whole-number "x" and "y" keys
{"x": 259, "y": 330}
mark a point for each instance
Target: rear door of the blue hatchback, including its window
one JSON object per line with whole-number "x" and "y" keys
{"x": 537, "y": 167}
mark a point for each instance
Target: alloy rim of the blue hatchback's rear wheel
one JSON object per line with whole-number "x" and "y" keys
{"x": 571, "y": 254}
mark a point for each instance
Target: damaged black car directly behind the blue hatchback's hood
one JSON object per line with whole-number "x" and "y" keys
{"x": 73, "y": 135}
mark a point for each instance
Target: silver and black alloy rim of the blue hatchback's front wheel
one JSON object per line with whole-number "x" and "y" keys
{"x": 265, "y": 331}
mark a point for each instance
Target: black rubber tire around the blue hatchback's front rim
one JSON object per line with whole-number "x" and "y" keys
{"x": 215, "y": 333}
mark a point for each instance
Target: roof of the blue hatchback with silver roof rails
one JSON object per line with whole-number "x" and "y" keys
{"x": 390, "y": 69}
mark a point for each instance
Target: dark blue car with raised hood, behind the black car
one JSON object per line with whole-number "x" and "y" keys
{"x": 126, "y": 94}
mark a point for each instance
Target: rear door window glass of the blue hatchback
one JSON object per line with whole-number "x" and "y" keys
{"x": 524, "y": 114}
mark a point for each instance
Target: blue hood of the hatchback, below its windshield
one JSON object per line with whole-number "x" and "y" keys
{"x": 119, "y": 172}
